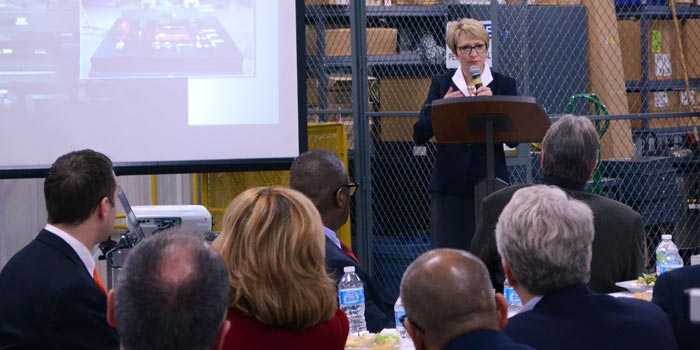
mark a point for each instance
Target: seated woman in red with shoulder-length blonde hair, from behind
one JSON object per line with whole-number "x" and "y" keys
{"x": 281, "y": 296}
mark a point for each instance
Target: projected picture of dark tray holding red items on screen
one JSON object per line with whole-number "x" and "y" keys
{"x": 166, "y": 38}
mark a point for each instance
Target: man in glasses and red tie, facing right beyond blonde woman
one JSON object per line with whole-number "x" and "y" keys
{"x": 322, "y": 177}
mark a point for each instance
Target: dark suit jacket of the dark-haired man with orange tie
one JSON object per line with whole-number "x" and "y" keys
{"x": 48, "y": 300}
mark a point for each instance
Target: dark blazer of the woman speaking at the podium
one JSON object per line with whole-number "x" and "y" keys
{"x": 459, "y": 167}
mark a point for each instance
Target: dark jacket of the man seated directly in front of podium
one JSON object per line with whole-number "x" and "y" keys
{"x": 617, "y": 246}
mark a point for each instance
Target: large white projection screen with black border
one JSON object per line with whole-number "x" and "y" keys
{"x": 159, "y": 86}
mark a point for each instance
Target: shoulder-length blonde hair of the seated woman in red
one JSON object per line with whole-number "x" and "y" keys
{"x": 273, "y": 244}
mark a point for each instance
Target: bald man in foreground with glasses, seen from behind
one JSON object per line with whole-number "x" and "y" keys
{"x": 450, "y": 304}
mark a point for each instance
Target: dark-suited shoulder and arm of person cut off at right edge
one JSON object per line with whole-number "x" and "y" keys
{"x": 668, "y": 293}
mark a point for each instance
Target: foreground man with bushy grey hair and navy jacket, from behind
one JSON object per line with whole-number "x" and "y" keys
{"x": 544, "y": 238}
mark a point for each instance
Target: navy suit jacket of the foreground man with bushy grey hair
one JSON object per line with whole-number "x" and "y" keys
{"x": 576, "y": 318}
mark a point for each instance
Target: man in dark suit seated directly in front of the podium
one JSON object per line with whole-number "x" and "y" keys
{"x": 569, "y": 156}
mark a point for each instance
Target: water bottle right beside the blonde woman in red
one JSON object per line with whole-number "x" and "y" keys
{"x": 352, "y": 300}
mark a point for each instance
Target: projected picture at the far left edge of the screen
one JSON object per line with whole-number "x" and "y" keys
{"x": 38, "y": 52}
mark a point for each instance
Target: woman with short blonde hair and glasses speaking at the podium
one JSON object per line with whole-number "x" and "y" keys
{"x": 459, "y": 167}
